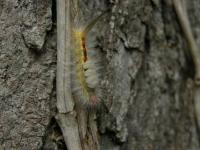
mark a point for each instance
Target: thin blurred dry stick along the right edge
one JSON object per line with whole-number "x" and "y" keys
{"x": 195, "y": 52}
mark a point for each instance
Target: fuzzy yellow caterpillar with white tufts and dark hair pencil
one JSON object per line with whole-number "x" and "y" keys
{"x": 85, "y": 68}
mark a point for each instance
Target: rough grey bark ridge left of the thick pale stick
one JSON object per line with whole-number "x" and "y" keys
{"x": 27, "y": 72}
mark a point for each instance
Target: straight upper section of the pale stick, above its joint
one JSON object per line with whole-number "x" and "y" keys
{"x": 64, "y": 99}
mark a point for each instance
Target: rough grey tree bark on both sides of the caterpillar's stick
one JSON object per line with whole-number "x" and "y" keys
{"x": 147, "y": 100}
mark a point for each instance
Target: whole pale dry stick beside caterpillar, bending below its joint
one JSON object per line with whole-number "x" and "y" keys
{"x": 66, "y": 116}
